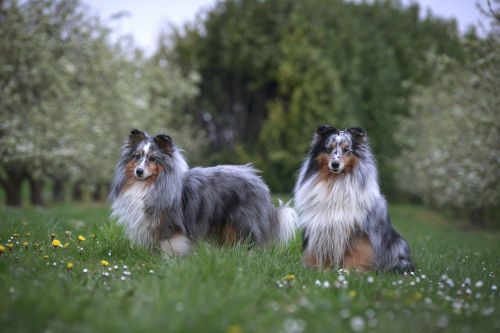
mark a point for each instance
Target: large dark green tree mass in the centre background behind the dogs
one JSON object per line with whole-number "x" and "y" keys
{"x": 272, "y": 71}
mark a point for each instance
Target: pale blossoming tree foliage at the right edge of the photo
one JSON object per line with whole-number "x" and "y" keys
{"x": 452, "y": 139}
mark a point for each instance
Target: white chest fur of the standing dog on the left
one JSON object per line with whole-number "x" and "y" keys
{"x": 129, "y": 211}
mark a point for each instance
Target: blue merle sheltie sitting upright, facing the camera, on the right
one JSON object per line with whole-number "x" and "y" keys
{"x": 343, "y": 214}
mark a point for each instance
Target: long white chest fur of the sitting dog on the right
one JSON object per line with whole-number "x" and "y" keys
{"x": 331, "y": 211}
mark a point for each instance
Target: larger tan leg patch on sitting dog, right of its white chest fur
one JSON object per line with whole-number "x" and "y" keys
{"x": 359, "y": 255}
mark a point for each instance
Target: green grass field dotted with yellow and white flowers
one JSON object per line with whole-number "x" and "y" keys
{"x": 234, "y": 289}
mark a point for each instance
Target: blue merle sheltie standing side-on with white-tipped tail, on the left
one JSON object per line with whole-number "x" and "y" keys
{"x": 163, "y": 203}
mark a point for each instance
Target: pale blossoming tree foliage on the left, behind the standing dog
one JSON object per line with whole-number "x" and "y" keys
{"x": 70, "y": 96}
